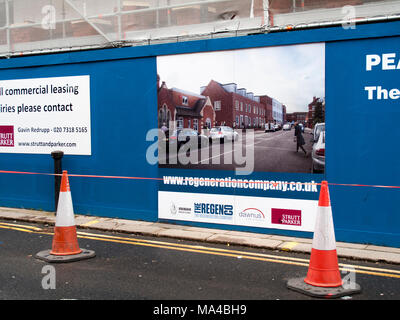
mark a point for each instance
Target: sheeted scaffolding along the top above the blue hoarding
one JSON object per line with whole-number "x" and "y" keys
{"x": 42, "y": 26}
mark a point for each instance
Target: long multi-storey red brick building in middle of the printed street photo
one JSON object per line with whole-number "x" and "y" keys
{"x": 235, "y": 107}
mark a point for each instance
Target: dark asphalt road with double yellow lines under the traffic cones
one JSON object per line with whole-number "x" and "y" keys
{"x": 130, "y": 267}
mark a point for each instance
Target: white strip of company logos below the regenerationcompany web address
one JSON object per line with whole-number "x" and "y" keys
{"x": 275, "y": 213}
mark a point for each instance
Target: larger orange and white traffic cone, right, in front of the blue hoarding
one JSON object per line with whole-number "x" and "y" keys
{"x": 323, "y": 277}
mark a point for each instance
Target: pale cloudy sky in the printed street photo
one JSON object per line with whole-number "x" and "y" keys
{"x": 291, "y": 74}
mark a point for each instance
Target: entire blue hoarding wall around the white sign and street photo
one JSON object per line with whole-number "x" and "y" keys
{"x": 362, "y": 113}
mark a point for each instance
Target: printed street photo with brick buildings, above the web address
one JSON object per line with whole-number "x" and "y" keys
{"x": 260, "y": 109}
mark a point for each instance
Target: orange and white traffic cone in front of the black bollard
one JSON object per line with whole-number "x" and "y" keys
{"x": 65, "y": 242}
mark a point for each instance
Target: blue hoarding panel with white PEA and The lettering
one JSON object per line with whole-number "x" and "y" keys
{"x": 363, "y": 136}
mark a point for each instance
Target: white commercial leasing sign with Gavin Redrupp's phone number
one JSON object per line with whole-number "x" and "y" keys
{"x": 41, "y": 115}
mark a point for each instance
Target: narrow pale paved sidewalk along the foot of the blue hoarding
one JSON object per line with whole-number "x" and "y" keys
{"x": 273, "y": 242}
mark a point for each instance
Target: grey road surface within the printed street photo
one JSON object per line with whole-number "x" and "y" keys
{"x": 268, "y": 152}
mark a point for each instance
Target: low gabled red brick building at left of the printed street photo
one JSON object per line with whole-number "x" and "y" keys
{"x": 182, "y": 109}
